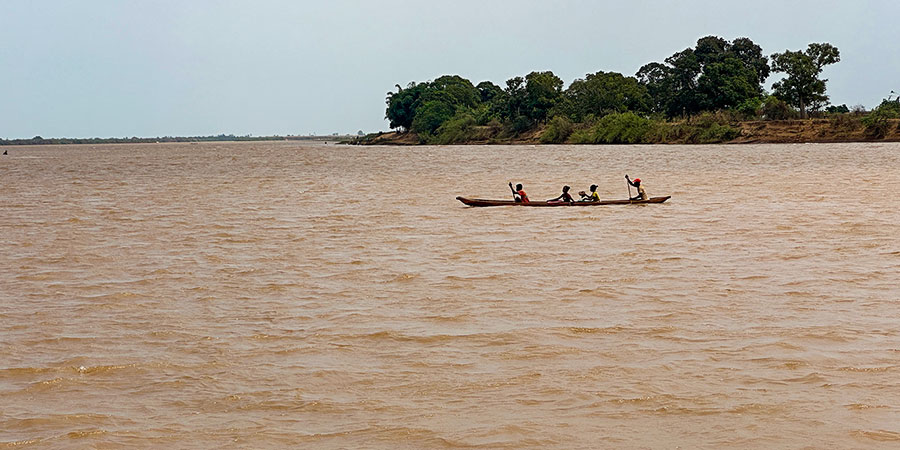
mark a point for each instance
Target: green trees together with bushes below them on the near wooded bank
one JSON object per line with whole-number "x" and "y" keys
{"x": 700, "y": 91}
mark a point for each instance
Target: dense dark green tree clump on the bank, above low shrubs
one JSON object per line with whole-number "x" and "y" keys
{"x": 714, "y": 75}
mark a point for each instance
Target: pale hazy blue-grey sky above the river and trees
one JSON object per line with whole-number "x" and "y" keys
{"x": 198, "y": 67}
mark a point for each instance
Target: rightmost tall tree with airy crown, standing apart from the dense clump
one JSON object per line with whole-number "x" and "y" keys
{"x": 802, "y": 86}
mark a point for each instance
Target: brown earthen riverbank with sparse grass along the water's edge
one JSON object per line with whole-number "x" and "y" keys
{"x": 838, "y": 129}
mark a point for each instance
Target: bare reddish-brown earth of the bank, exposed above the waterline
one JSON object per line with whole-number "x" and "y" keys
{"x": 750, "y": 132}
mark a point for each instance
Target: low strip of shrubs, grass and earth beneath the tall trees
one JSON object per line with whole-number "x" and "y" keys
{"x": 705, "y": 128}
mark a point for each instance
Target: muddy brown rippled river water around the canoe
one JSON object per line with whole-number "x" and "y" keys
{"x": 281, "y": 294}
